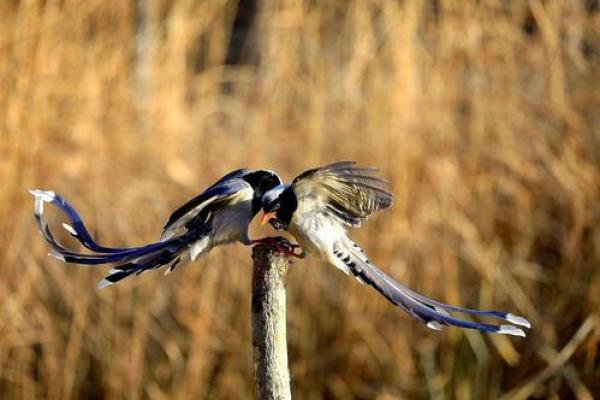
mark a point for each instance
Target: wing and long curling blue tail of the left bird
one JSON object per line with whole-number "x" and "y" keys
{"x": 169, "y": 251}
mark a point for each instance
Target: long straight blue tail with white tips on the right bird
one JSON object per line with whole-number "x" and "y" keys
{"x": 431, "y": 312}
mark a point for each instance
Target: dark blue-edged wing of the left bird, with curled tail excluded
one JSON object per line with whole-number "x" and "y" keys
{"x": 222, "y": 191}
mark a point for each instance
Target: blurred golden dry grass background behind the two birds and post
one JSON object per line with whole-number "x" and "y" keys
{"x": 484, "y": 115}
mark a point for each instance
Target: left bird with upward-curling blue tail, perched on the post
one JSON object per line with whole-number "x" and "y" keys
{"x": 219, "y": 215}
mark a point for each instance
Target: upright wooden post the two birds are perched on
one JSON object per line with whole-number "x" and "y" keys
{"x": 272, "y": 375}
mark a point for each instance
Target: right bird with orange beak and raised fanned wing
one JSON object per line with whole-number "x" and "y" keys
{"x": 319, "y": 206}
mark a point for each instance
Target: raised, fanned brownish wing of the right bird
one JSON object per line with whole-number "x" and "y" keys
{"x": 347, "y": 192}
